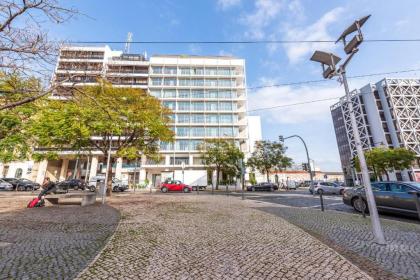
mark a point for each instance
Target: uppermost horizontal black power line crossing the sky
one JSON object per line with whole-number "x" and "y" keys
{"x": 239, "y": 42}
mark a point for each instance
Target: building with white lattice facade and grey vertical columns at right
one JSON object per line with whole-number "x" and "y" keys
{"x": 387, "y": 115}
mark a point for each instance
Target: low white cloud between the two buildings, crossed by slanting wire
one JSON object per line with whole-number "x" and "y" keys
{"x": 278, "y": 96}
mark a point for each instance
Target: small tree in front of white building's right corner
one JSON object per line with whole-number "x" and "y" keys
{"x": 222, "y": 155}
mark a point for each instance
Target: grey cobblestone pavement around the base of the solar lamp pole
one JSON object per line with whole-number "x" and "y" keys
{"x": 349, "y": 233}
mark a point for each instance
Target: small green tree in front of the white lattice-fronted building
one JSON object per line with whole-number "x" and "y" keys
{"x": 380, "y": 160}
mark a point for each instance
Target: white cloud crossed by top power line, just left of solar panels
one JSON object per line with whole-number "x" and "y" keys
{"x": 316, "y": 31}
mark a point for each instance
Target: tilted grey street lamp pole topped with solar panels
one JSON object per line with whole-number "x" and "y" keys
{"x": 330, "y": 60}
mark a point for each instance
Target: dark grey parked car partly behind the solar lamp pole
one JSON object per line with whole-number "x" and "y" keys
{"x": 395, "y": 197}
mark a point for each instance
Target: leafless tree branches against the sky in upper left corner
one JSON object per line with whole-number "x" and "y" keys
{"x": 25, "y": 47}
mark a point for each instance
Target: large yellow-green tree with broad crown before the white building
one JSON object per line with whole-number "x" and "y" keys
{"x": 131, "y": 119}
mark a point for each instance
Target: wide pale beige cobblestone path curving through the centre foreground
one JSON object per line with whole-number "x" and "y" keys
{"x": 188, "y": 236}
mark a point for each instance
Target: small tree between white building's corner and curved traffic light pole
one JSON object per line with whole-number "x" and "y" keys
{"x": 269, "y": 156}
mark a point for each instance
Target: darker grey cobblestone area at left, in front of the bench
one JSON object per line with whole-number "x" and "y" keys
{"x": 50, "y": 242}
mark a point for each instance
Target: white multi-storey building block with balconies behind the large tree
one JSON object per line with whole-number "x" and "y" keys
{"x": 207, "y": 95}
